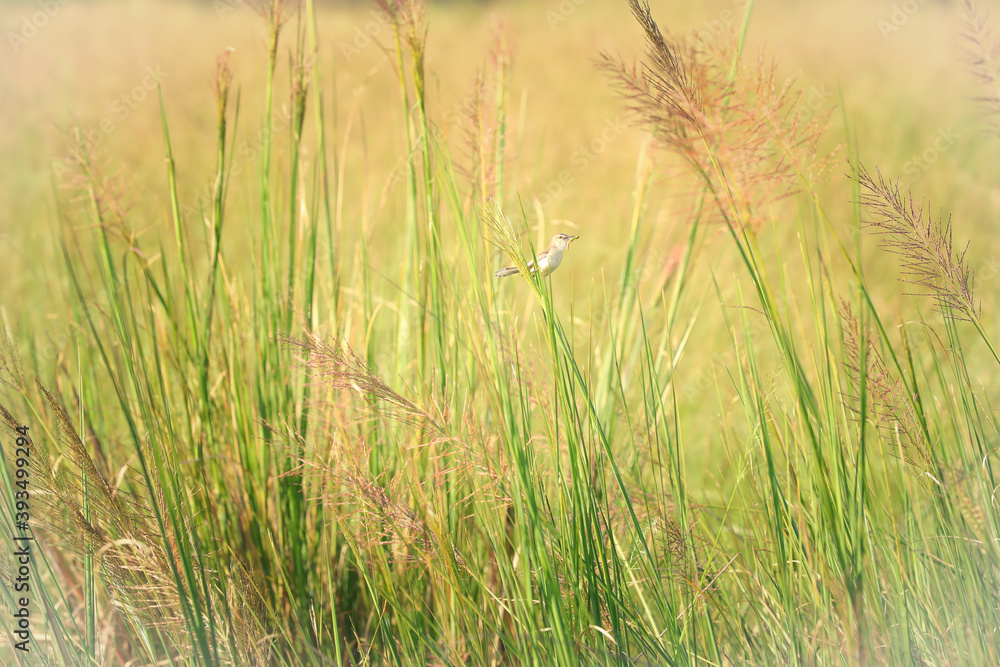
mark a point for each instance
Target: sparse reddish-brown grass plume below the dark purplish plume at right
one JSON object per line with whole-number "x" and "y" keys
{"x": 889, "y": 408}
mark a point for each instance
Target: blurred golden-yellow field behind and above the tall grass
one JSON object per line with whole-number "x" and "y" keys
{"x": 901, "y": 91}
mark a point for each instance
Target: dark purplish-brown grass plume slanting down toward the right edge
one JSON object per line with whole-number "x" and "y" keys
{"x": 924, "y": 244}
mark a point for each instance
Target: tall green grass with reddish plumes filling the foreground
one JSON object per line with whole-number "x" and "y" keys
{"x": 305, "y": 463}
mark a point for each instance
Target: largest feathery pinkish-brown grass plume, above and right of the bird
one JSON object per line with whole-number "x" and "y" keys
{"x": 750, "y": 140}
